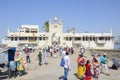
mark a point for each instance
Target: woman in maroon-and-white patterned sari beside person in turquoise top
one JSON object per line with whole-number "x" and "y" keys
{"x": 96, "y": 65}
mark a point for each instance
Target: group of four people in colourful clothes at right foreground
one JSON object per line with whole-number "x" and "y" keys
{"x": 97, "y": 63}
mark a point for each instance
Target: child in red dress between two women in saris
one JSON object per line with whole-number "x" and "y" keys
{"x": 88, "y": 73}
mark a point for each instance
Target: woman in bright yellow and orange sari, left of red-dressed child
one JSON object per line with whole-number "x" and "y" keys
{"x": 81, "y": 66}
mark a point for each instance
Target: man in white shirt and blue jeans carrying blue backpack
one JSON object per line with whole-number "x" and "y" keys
{"x": 66, "y": 66}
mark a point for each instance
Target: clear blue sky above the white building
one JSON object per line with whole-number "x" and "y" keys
{"x": 84, "y": 15}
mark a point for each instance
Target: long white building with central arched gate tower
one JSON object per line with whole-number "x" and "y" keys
{"x": 30, "y": 34}
